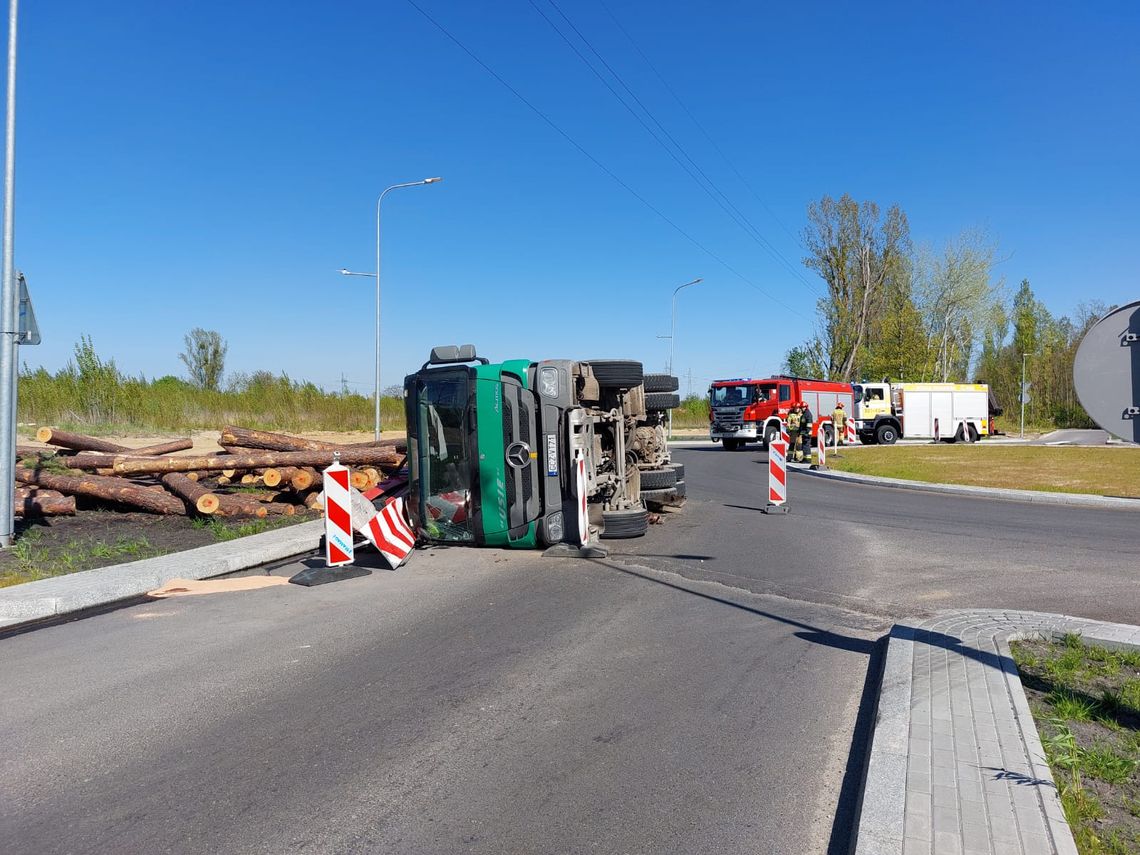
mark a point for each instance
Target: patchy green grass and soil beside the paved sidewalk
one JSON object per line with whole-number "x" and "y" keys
{"x": 1086, "y": 702}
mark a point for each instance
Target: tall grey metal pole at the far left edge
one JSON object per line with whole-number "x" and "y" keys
{"x": 10, "y": 298}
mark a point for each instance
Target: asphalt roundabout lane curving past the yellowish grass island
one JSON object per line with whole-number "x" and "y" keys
{"x": 892, "y": 552}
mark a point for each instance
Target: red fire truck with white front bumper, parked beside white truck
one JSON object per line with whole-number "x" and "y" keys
{"x": 751, "y": 411}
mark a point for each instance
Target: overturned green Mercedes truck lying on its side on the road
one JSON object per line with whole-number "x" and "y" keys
{"x": 532, "y": 454}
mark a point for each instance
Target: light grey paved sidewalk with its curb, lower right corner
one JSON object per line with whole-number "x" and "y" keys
{"x": 957, "y": 766}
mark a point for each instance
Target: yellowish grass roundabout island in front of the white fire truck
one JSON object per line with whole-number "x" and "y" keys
{"x": 1098, "y": 471}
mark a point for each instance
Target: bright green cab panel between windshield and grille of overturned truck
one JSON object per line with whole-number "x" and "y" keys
{"x": 493, "y": 454}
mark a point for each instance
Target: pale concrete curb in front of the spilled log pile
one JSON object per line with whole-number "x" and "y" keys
{"x": 66, "y": 595}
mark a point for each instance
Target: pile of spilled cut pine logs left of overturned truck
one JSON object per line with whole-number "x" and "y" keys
{"x": 257, "y": 474}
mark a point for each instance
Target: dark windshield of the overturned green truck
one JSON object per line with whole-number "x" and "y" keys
{"x": 441, "y": 449}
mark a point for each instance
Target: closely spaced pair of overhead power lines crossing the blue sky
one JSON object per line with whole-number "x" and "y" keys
{"x": 694, "y": 170}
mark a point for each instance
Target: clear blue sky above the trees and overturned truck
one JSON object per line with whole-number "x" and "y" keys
{"x": 214, "y": 165}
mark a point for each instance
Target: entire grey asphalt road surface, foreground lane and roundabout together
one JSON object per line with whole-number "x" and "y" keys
{"x": 706, "y": 689}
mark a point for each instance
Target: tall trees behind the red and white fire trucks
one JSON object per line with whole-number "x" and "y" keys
{"x": 894, "y": 311}
